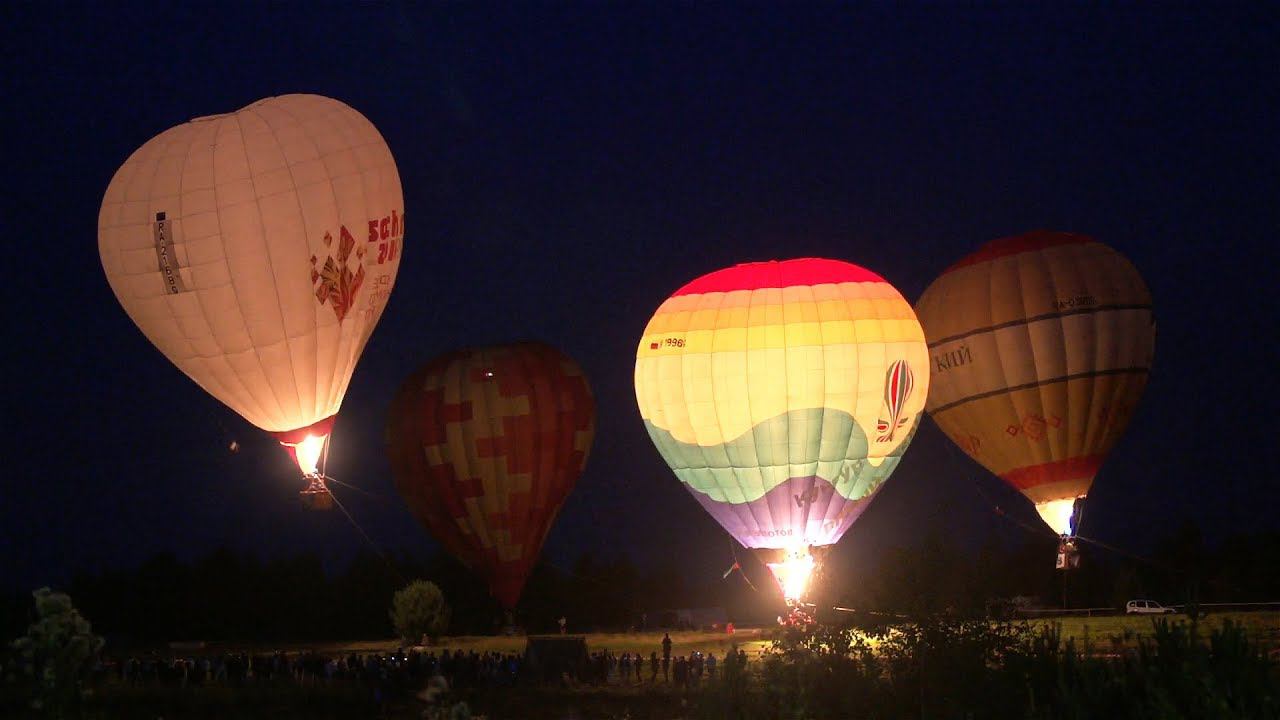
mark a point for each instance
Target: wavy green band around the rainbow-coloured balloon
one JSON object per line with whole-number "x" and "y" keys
{"x": 817, "y": 441}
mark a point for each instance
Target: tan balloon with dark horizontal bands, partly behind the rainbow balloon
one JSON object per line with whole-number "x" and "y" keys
{"x": 1041, "y": 345}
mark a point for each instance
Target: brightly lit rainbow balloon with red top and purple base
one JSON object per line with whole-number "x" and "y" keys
{"x": 783, "y": 395}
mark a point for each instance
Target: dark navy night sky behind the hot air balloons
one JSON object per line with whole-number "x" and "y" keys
{"x": 568, "y": 167}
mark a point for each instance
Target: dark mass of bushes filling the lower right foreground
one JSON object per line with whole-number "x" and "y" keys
{"x": 943, "y": 667}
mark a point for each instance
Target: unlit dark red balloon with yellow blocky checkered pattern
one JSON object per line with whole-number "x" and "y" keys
{"x": 486, "y": 445}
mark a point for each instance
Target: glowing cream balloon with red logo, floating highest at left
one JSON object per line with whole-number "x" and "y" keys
{"x": 257, "y": 250}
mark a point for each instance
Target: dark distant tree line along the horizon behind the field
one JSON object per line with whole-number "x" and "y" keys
{"x": 239, "y": 596}
